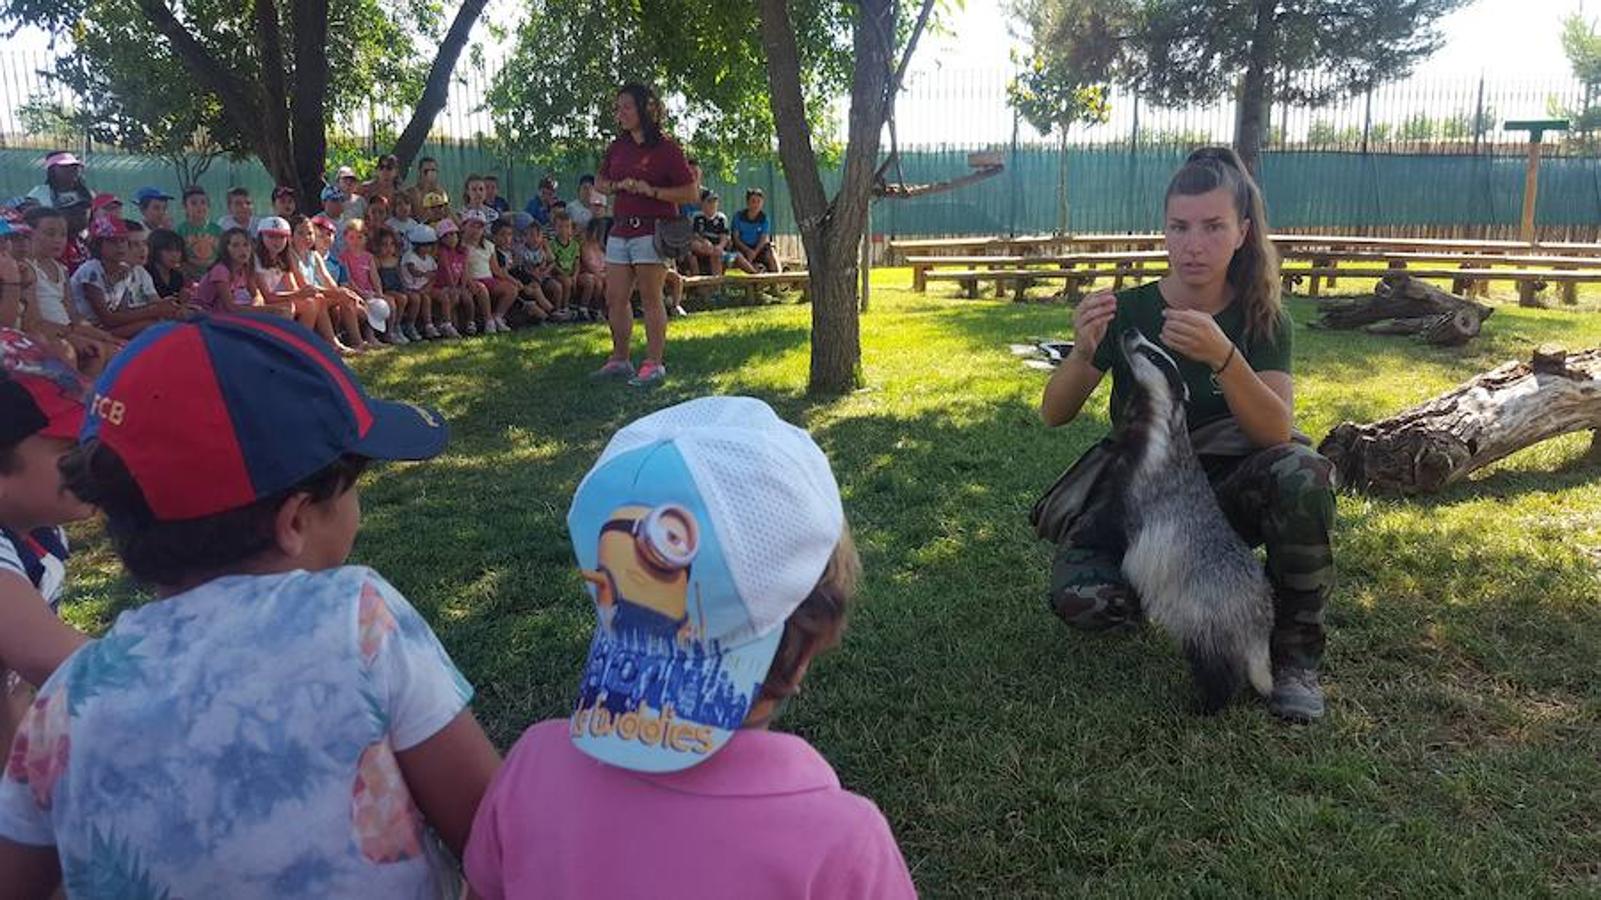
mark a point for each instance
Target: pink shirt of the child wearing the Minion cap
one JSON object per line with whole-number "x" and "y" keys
{"x": 764, "y": 818}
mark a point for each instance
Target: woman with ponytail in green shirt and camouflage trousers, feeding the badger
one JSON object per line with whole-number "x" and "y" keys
{"x": 1219, "y": 315}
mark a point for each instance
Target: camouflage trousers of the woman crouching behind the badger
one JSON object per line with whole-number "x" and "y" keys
{"x": 1282, "y": 499}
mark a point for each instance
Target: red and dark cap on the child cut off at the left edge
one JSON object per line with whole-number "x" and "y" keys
{"x": 39, "y": 392}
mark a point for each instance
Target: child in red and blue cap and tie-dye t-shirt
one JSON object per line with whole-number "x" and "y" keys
{"x": 278, "y": 723}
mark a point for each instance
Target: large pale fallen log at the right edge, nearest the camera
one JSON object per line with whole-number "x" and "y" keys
{"x": 1471, "y": 427}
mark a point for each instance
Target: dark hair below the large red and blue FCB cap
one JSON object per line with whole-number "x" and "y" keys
{"x": 177, "y": 553}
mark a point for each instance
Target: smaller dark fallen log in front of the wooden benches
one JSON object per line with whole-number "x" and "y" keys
{"x": 1403, "y": 305}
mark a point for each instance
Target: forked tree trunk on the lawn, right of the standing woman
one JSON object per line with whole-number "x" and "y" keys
{"x": 832, "y": 230}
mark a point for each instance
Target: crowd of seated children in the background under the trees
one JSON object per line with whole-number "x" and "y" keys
{"x": 377, "y": 263}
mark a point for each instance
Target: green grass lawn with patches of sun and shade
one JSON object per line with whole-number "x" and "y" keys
{"x": 1463, "y": 753}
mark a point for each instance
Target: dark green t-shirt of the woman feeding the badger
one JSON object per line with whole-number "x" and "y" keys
{"x": 1142, "y": 308}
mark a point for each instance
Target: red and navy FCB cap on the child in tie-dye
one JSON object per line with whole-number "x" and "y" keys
{"x": 214, "y": 414}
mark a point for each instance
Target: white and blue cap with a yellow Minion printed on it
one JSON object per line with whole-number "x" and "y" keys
{"x": 699, "y": 531}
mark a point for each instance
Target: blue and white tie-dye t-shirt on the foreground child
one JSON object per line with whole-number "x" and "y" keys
{"x": 239, "y": 741}
